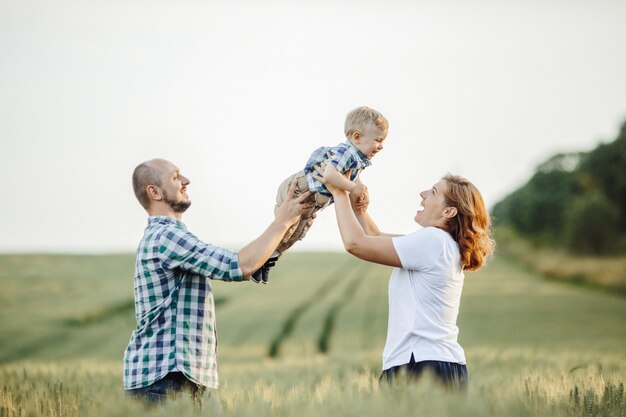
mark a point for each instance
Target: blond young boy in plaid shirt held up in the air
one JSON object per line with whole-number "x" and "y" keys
{"x": 365, "y": 130}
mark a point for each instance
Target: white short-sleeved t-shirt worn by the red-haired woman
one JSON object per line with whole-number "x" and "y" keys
{"x": 424, "y": 300}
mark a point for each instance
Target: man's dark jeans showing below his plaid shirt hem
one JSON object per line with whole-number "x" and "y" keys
{"x": 170, "y": 387}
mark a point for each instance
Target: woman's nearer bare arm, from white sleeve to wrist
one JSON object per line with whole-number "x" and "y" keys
{"x": 377, "y": 249}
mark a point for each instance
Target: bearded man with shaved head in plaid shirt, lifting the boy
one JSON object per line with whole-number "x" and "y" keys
{"x": 173, "y": 348}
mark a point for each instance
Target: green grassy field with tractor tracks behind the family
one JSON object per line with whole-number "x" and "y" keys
{"x": 309, "y": 344}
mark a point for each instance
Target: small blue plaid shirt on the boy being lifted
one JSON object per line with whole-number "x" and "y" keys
{"x": 344, "y": 157}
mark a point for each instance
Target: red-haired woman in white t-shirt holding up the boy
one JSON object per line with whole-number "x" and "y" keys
{"x": 426, "y": 283}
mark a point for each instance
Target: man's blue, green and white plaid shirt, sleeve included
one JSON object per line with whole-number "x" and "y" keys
{"x": 174, "y": 305}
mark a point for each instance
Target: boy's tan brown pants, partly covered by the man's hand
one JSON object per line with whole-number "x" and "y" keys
{"x": 299, "y": 229}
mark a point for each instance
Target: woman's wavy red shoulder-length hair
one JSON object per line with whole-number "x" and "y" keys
{"x": 471, "y": 227}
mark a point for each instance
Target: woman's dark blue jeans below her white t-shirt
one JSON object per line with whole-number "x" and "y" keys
{"x": 453, "y": 376}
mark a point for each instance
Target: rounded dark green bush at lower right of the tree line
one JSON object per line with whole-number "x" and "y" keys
{"x": 591, "y": 225}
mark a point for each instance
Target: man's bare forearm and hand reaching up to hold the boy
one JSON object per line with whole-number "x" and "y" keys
{"x": 254, "y": 254}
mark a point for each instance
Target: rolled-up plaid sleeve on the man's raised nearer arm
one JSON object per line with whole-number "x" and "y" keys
{"x": 180, "y": 249}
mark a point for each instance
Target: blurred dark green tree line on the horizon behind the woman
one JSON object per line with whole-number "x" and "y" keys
{"x": 573, "y": 200}
